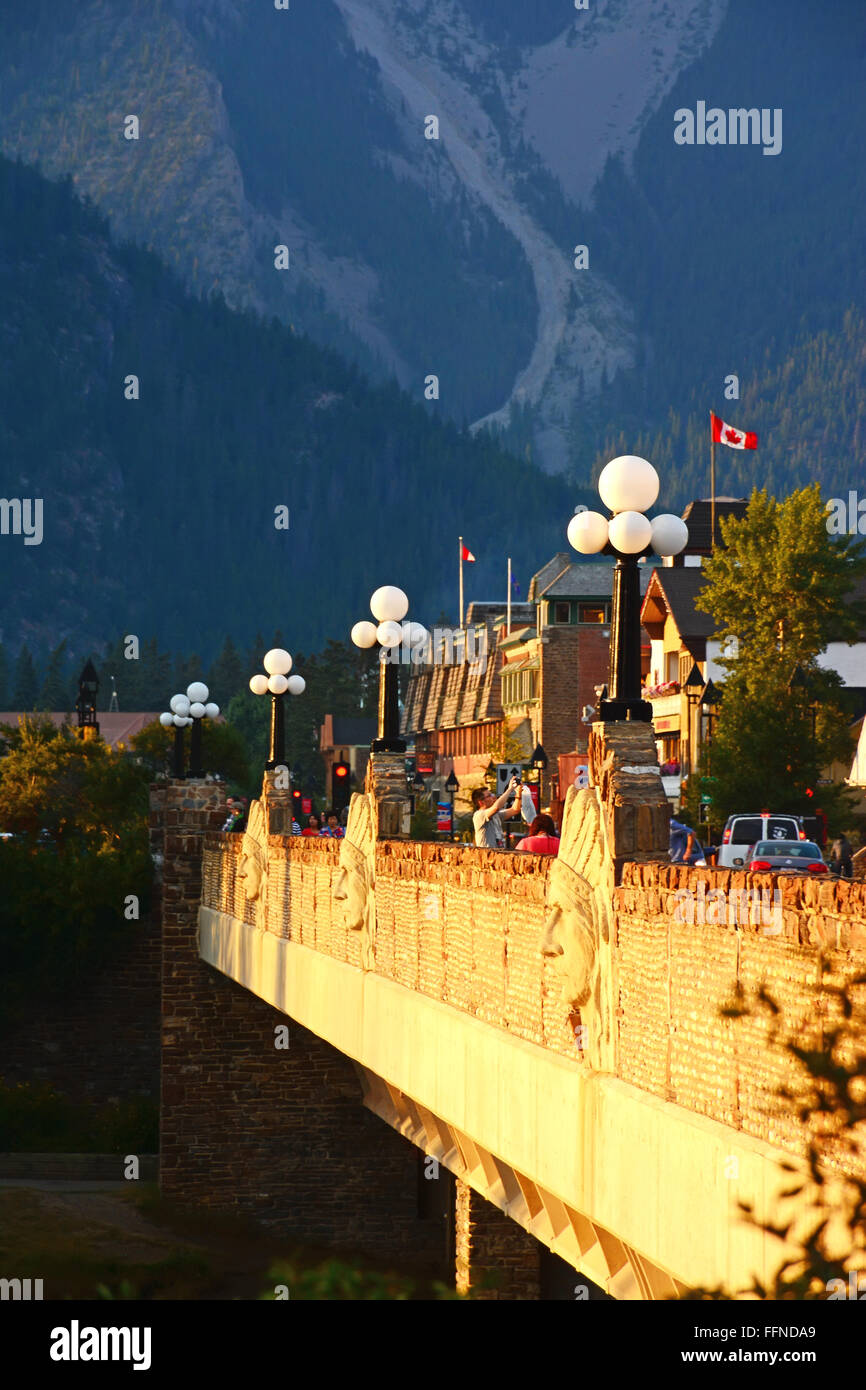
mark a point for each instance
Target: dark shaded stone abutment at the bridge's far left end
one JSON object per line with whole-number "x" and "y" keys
{"x": 259, "y": 1117}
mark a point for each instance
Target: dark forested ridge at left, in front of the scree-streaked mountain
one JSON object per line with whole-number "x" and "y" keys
{"x": 161, "y": 496}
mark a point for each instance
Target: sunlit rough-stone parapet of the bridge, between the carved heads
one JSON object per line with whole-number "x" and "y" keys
{"x": 465, "y": 926}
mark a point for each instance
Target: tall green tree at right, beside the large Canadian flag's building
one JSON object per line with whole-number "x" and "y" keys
{"x": 782, "y": 589}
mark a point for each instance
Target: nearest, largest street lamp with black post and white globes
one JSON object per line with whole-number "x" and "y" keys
{"x": 628, "y": 487}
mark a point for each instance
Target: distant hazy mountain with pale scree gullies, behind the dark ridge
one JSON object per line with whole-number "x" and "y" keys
{"x": 454, "y": 258}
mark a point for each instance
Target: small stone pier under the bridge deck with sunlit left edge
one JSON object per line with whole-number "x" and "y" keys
{"x": 496, "y": 1257}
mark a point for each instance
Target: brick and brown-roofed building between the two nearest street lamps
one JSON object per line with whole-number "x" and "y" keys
{"x": 530, "y": 683}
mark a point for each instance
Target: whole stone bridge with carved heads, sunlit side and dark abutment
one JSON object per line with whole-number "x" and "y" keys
{"x": 550, "y": 1033}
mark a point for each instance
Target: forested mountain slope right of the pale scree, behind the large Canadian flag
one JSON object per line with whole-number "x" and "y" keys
{"x": 737, "y": 262}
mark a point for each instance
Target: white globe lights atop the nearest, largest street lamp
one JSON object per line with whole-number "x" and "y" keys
{"x": 629, "y": 487}
